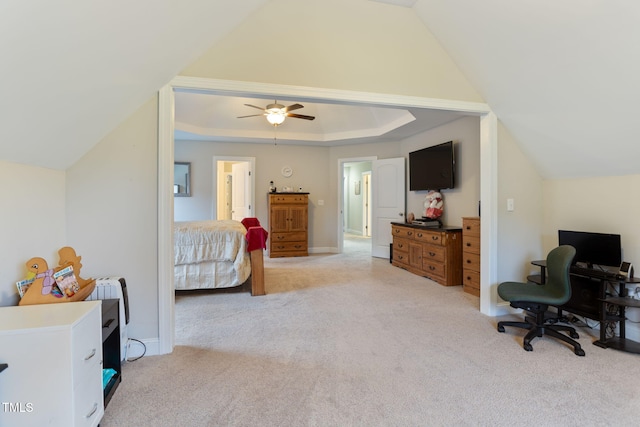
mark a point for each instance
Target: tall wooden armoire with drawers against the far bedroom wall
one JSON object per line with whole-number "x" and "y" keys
{"x": 288, "y": 224}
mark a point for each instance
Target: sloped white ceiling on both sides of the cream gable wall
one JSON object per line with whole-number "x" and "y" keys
{"x": 562, "y": 77}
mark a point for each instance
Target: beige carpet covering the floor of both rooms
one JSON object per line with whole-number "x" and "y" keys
{"x": 347, "y": 340}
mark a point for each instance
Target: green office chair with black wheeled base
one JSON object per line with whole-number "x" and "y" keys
{"x": 536, "y": 299}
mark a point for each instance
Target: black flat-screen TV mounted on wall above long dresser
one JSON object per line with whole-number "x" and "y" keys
{"x": 432, "y": 168}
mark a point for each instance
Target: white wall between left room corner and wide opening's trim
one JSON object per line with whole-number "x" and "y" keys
{"x": 112, "y": 213}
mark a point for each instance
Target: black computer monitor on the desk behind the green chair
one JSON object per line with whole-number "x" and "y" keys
{"x": 593, "y": 248}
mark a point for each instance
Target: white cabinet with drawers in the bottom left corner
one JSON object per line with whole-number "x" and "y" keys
{"x": 54, "y": 358}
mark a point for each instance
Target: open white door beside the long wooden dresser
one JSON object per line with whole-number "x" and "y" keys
{"x": 387, "y": 201}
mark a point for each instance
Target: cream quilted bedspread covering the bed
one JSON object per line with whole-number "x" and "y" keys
{"x": 210, "y": 254}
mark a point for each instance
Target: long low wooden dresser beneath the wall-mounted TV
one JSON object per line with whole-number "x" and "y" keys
{"x": 435, "y": 253}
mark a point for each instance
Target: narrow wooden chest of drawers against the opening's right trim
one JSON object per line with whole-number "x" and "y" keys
{"x": 471, "y": 255}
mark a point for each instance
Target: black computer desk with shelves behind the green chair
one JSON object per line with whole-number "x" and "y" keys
{"x": 601, "y": 298}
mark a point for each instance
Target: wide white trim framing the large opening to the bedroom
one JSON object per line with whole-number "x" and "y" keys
{"x": 166, "y": 126}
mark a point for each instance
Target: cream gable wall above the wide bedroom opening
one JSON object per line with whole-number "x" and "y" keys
{"x": 351, "y": 45}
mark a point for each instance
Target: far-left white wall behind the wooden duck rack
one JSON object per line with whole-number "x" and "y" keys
{"x": 32, "y": 222}
